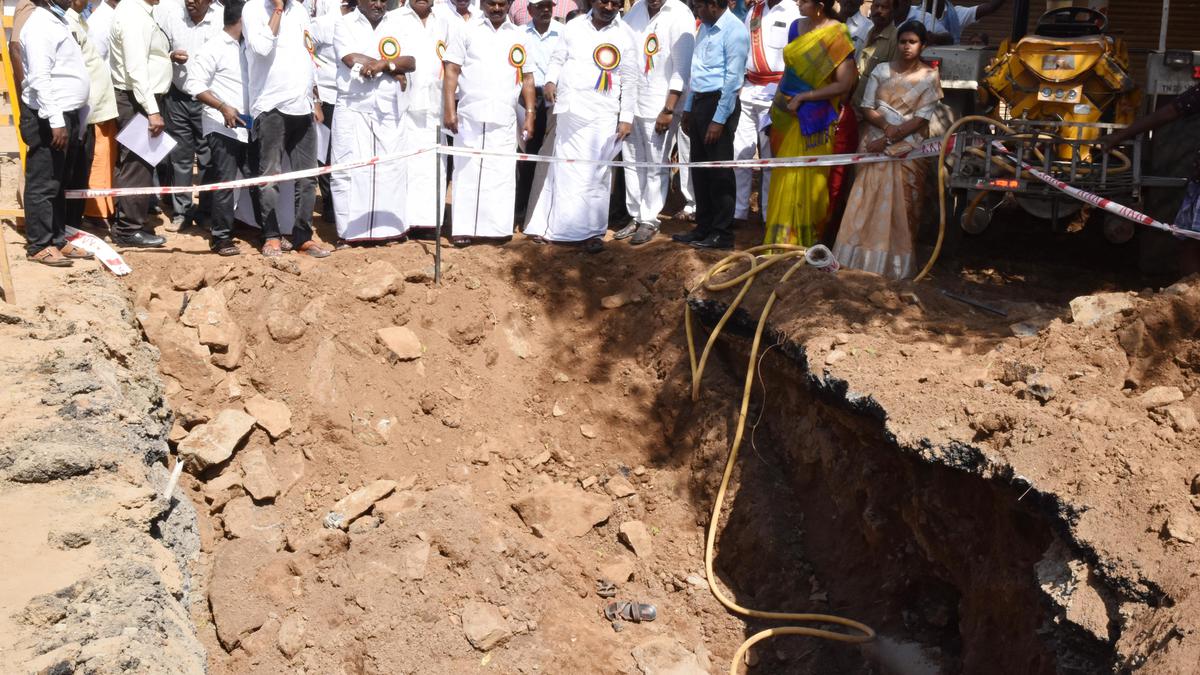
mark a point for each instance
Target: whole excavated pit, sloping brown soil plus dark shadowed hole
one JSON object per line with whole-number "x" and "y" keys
{"x": 830, "y": 512}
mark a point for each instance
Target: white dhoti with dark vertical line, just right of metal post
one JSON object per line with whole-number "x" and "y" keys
{"x": 485, "y": 189}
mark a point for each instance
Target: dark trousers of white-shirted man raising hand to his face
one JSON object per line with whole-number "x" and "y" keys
{"x": 295, "y": 135}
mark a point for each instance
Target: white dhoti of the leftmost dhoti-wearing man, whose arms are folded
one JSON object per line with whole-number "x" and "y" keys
{"x": 369, "y": 201}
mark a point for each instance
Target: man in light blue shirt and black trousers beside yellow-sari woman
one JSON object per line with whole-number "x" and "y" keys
{"x": 711, "y": 117}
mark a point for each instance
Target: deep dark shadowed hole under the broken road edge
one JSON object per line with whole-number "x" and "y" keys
{"x": 833, "y": 515}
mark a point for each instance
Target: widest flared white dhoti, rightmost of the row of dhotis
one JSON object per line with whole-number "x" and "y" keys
{"x": 574, "y": 201}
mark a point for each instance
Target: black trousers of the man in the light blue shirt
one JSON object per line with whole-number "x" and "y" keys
{"x": 716, "y": 189}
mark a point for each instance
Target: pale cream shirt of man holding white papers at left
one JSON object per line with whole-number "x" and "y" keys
{"x": 140, "y": 55}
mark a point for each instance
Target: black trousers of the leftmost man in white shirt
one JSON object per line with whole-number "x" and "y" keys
{"x": 49, "y": 174}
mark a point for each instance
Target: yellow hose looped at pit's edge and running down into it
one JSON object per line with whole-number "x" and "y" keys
{"x": 779, "y": 254}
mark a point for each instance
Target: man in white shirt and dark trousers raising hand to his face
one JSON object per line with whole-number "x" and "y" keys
{"x": 278, "y": 38}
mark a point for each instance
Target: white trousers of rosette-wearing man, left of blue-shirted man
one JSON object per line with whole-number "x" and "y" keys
{"x": 646, "y": 188}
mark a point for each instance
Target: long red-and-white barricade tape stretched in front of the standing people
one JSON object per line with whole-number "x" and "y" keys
{"x": 927, "y": 150}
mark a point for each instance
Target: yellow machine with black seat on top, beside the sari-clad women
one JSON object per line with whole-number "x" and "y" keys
{"x": 1070, "y": 71}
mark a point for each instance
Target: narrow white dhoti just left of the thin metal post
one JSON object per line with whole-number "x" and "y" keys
{"x": 419, "y": 129}
